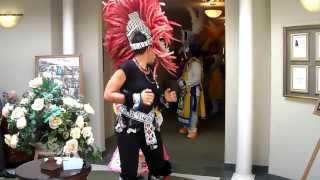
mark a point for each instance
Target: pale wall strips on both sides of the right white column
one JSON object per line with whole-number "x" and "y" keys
{"x": 261, "y": 110}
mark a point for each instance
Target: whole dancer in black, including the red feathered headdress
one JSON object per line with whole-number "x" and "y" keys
{"x": 135, "y": 28}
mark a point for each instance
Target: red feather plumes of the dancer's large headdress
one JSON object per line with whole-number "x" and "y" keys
{"x": 116, "y": 16}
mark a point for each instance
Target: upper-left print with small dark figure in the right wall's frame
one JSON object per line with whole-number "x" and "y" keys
{"x": 299, "y": 46}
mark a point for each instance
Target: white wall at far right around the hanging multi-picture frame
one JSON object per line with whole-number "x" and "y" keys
{"x": 294, "y": 130}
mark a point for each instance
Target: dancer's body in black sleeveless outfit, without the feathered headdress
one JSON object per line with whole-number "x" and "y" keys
{"x": 133, "y": 86}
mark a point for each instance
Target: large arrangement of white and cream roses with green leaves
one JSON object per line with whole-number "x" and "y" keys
{"x": 45, "y": 116}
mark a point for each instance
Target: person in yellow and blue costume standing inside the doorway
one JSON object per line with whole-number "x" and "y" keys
{"x": 191, "y": 102}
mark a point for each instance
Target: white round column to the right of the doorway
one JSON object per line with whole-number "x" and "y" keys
{"x": 245, "y": 94}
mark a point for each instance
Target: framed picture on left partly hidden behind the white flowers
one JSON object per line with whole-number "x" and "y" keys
{"x": 67, "y": 69}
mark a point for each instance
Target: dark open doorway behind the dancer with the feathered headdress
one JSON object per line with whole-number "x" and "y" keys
{"x": 204, "y": 155}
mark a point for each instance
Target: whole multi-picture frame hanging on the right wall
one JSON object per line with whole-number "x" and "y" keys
{"x": 301, "y": 61}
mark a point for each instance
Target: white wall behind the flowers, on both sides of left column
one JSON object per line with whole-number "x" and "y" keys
{"x": 40, "y": 33}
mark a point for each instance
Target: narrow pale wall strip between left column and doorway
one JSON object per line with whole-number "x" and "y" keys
{"x": 88, "y": 27}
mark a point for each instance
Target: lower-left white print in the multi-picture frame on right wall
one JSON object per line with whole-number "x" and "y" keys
{"x": 299, "y": 78}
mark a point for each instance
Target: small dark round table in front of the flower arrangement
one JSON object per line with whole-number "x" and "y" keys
{"x": 32, "y": 171}
